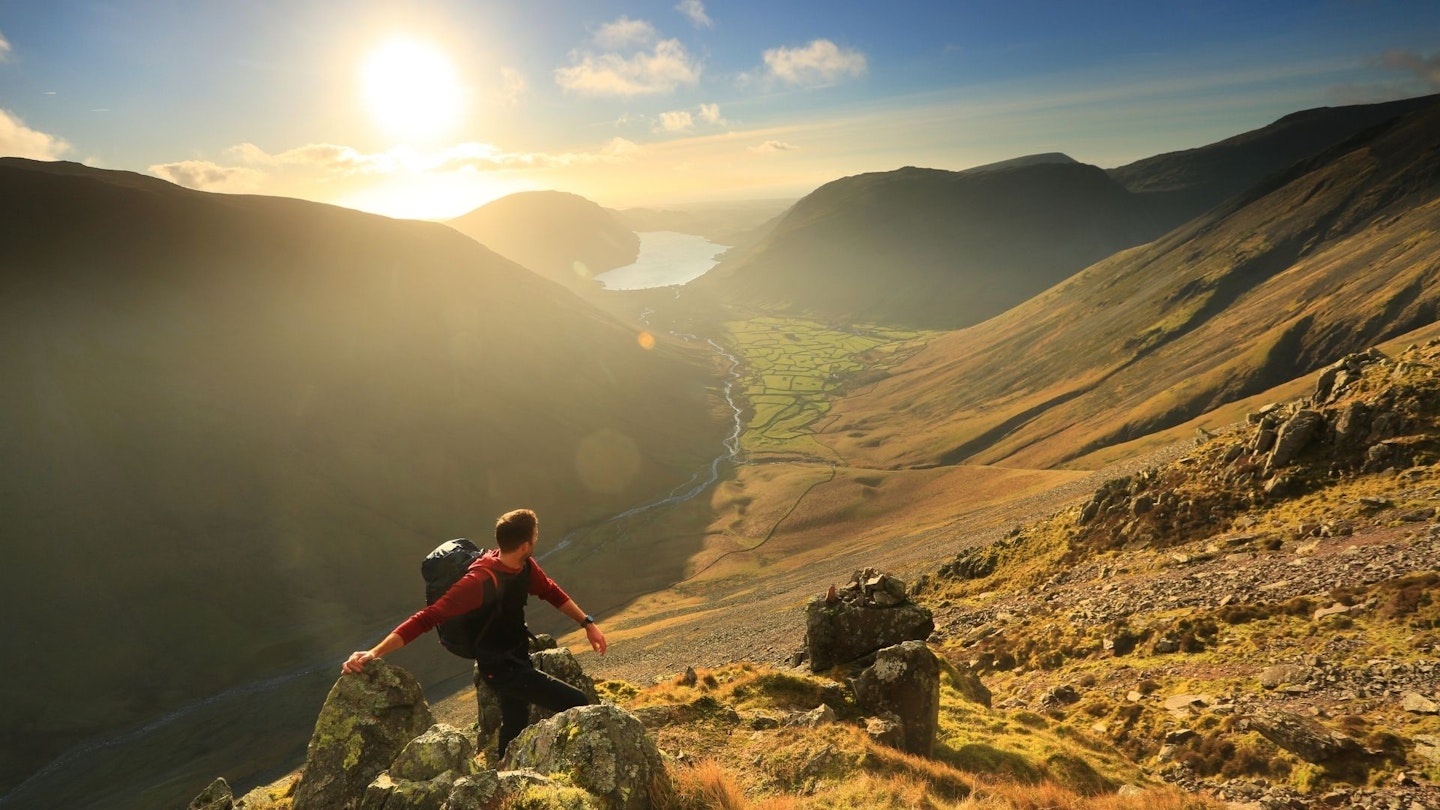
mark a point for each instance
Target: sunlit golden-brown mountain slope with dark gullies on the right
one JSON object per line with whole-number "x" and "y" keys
{"x": 1331, "y": 257}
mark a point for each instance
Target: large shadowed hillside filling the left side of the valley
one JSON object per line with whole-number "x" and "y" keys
{"x": 231, "y": 426}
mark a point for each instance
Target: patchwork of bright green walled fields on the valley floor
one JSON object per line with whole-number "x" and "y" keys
{"x": 793, "y": 370}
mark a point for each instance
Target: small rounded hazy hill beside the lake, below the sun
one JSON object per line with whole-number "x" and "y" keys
{"x": 562, "y": 237}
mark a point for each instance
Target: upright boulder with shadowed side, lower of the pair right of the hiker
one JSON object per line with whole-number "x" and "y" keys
{"x": 905, "y": 685}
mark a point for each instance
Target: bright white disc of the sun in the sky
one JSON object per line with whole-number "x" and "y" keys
{"x": 413, "y": 90}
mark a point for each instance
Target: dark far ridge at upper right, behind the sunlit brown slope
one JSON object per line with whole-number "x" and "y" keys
{"x": 1187, "y": 184}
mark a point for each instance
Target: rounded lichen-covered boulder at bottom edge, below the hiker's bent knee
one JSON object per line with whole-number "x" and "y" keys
{"x": 603, "y": 750}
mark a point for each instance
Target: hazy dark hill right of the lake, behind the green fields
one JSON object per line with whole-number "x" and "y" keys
{"x": 934, "y": 249}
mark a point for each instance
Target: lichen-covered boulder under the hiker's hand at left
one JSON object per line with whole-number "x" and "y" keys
{"x": 366, "y": 721}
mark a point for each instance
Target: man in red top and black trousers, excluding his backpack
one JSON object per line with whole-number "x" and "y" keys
{"x": 502, "y": 579}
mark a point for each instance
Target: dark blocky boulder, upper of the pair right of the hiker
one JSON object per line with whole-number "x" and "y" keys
{"x": 869, "y": 615}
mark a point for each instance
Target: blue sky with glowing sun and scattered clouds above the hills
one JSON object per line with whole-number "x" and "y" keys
{"x": 434, "y": 107}
